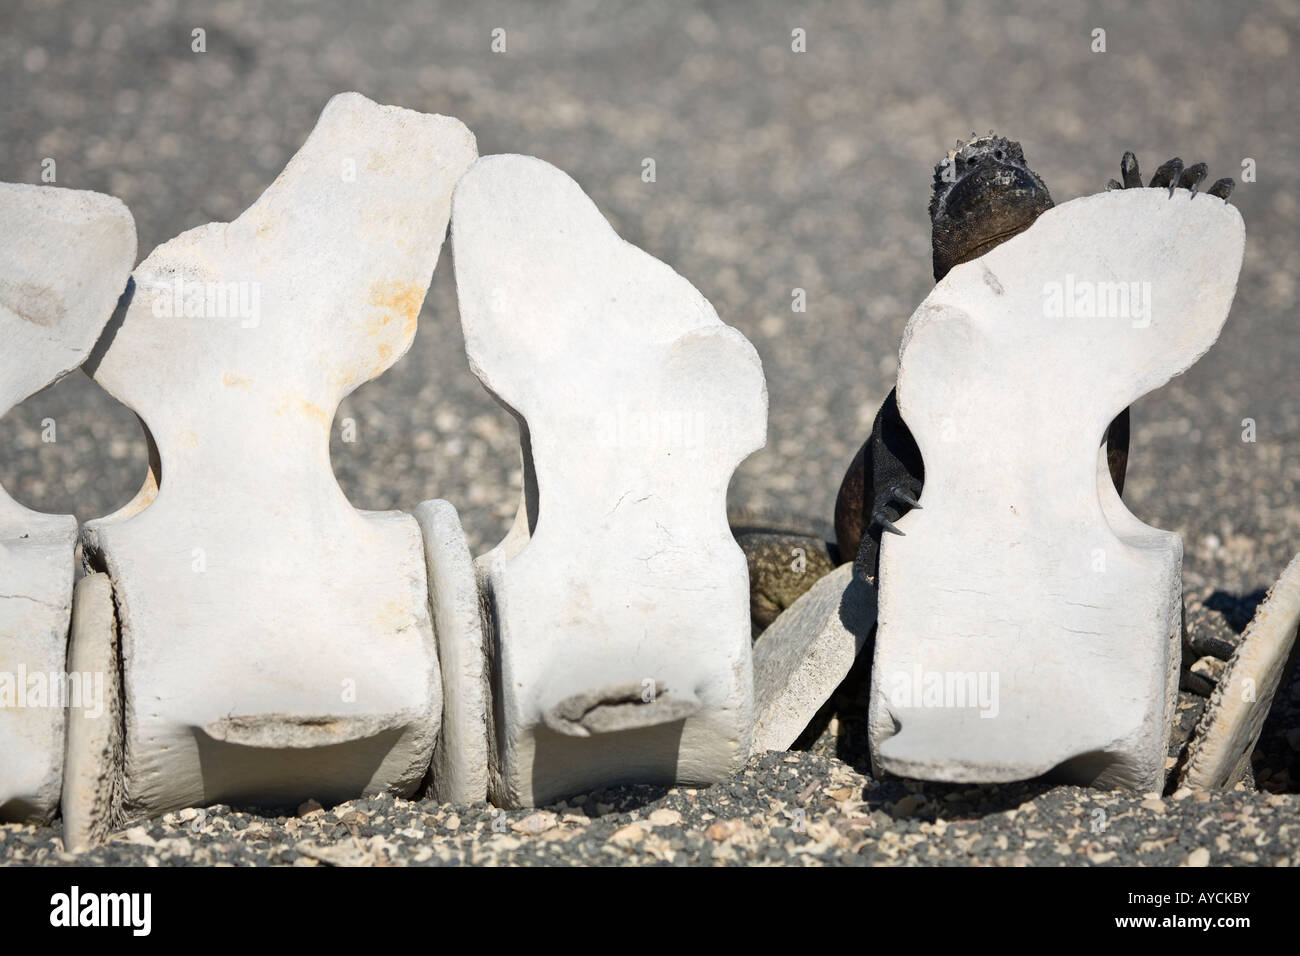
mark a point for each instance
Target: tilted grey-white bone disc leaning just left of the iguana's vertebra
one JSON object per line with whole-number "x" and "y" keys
{"x": 807, "y": 652}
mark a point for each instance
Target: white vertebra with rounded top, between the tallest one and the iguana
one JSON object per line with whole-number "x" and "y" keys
{"x": 619, "y": 599}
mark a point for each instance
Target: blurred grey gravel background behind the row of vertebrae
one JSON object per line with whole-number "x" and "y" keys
{"x": 775, "y": 171}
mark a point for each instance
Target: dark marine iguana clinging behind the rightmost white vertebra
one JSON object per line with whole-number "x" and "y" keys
{"x": 985, "y": 193}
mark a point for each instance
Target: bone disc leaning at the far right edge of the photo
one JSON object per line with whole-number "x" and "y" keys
{"x": 1230, "y": 728}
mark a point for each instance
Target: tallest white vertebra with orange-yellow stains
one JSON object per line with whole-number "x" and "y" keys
{"x": 276, "y": 643}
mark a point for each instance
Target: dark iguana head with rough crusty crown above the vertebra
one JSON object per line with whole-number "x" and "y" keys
{"x": 985, "y": 194}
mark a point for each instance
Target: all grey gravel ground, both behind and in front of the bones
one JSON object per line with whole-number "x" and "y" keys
{"x": 775, "y": 171}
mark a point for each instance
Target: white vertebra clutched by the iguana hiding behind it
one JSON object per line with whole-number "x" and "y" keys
{"x": 1029, "y": 622}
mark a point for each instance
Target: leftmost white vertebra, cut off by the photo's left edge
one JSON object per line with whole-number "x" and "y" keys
{"x": 64, "y": 262}
